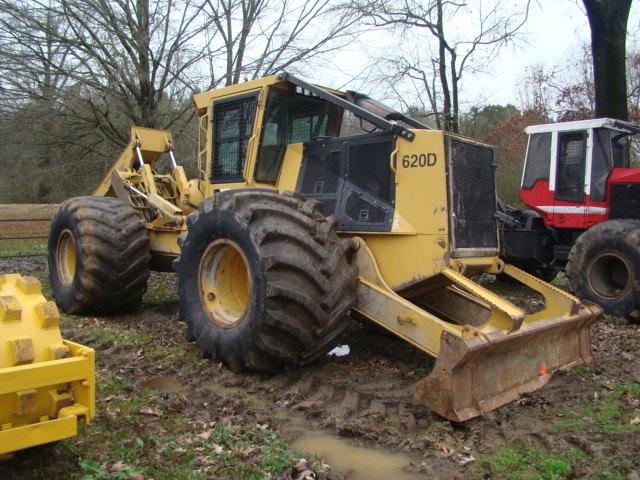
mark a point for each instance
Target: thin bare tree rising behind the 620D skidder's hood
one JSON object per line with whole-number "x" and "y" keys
{"x": 440, "y": 73}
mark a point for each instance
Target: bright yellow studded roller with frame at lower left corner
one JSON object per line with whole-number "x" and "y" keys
{"x": 46, "y": 383}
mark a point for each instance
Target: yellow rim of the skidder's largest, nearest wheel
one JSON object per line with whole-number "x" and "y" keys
{"x": 224, "y": 282}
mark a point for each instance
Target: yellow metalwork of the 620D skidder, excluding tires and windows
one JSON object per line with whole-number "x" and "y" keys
{"x": 414, "y": 278}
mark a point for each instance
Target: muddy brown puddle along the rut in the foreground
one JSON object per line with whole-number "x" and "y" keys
{"x": 361, "y": 463}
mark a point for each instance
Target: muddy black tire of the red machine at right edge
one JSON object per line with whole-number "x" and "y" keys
{"x": 604, "y": 267}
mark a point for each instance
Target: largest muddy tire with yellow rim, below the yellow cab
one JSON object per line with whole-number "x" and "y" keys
{"x": 264, "y": 281}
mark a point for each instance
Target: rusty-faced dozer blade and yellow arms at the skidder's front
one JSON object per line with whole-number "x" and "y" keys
{"x": 488, "y": 351}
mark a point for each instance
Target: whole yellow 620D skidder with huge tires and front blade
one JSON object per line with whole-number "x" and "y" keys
{"x": 312, "y": 203}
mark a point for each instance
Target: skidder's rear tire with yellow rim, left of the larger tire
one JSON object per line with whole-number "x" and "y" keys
{"x": 98, "y": 256}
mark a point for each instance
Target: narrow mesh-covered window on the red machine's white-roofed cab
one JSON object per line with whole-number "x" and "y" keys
{"x": 570, "y": 178}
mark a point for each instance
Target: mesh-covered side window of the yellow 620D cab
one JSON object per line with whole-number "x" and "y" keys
{"x": 232, "y": 128}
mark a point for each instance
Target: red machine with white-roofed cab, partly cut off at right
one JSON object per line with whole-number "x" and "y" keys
{"x": 585, "y": 217}
